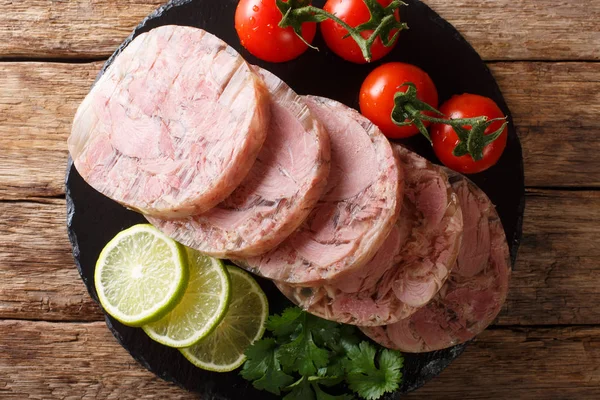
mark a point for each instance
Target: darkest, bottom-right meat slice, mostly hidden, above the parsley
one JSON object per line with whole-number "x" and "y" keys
{"x": 473, "y": 295}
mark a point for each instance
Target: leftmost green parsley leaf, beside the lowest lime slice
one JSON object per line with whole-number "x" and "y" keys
{"x": 264, "y": 369}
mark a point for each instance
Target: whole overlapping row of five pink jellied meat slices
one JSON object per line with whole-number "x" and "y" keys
{"x": 227, "y": 159}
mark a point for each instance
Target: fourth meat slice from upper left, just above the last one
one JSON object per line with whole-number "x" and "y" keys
{"x": 410, "y": 267}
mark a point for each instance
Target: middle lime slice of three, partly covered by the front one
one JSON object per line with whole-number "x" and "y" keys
{"x": 202, "y": 307}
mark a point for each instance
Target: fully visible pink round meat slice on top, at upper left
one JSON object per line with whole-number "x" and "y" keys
{"x": 173, "y": 125}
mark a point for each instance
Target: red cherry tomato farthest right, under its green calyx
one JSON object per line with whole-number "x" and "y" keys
{"x": 445, "y": 139}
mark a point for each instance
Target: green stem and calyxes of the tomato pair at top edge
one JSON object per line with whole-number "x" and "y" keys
{"x": 382, "y": 22}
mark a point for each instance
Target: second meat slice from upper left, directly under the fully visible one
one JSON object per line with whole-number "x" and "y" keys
{"x": 283, "y": 186}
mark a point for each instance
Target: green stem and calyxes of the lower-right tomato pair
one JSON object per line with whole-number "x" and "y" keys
{"x": 409, "y": 110}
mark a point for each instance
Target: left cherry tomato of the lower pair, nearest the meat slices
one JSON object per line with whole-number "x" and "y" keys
{"x": 377, "y": 95}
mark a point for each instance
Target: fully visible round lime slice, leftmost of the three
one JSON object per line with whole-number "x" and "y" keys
{"x": 140, "y": 275}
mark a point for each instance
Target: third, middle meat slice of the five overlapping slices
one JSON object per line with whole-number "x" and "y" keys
{"x": 360, "y": 205}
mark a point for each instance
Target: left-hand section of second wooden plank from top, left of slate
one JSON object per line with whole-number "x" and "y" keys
{"x": 37, "y": 104}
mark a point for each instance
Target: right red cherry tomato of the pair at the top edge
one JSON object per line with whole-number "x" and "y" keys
{"x": 354, "y": 13}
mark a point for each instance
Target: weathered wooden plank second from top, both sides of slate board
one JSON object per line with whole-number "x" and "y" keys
{"x": 561, "y": 145}
